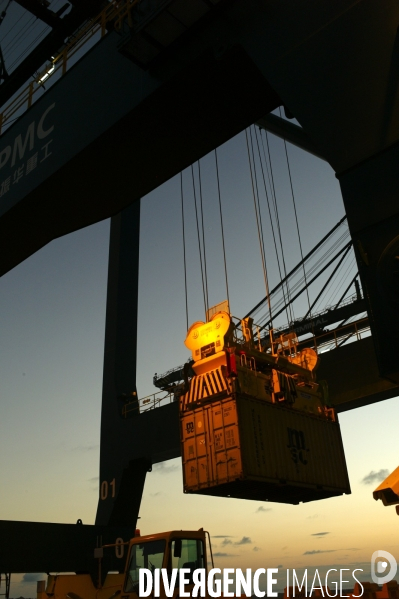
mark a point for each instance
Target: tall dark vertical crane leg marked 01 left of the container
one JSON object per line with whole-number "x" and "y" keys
{"x": 122, "y": 478}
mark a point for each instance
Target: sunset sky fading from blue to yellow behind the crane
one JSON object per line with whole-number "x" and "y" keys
{"x": 51, "y": 354}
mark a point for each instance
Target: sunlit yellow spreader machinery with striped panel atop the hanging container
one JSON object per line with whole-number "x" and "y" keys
{"x": 226, "y": 362}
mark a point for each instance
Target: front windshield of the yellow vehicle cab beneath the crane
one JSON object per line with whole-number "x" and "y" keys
{"x": 147, "y": 555}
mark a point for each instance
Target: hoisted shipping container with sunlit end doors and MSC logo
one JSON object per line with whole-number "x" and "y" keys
{"x": 252, "y": 449}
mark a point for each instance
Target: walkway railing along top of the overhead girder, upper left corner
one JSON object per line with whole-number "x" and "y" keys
{"x": 116, "y": 12}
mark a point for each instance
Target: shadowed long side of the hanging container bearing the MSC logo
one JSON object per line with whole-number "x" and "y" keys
{"x": 290, "y": 446}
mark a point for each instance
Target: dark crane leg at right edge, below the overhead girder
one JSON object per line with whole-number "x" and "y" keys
{"x": 370, "y": 193}
